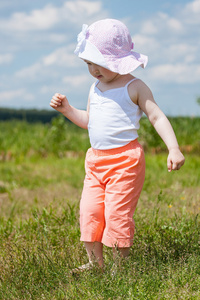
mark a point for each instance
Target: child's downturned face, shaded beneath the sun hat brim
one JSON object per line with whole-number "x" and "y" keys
{"x": 101, "y": 73}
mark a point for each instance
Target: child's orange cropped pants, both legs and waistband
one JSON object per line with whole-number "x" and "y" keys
{"x": 112, "y": 186}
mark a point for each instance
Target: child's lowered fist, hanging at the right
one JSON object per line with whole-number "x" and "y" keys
{"x": 175, "y": 159}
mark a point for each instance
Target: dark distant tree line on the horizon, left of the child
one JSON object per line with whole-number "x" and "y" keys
{"x": 29, "y": 115}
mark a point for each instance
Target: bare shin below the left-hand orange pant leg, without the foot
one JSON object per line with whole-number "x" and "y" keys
{"x": 95, "y": 252}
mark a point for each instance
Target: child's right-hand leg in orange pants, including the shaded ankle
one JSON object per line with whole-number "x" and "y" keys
{"x": 121, "y": 196}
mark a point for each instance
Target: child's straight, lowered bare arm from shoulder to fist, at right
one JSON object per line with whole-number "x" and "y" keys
{"x": 162, "y": 125}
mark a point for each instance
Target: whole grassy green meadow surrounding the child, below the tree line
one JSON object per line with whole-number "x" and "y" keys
{"x": 41, "y": 177}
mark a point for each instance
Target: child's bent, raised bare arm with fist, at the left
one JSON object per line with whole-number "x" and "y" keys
{"x": 79, "y": 117}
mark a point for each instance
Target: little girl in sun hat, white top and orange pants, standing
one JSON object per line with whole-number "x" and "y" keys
{"x": 115, "y": 164}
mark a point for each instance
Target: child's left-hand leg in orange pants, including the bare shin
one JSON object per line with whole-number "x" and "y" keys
{"x": 92, "y": 221}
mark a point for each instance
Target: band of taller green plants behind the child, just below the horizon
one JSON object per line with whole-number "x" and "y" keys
{"x": 20, "y": 139}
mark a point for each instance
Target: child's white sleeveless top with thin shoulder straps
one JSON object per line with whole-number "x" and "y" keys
{"x": 113, "y": 118}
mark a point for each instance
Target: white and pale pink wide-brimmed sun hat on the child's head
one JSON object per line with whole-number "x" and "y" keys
{"x": 108, "y": 43}
